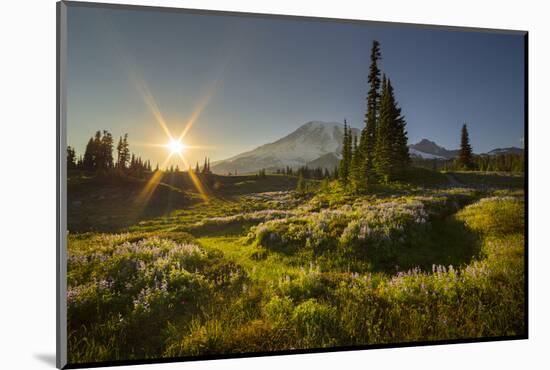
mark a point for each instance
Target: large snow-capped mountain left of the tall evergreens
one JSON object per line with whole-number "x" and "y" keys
{"x": 316, "y": 144}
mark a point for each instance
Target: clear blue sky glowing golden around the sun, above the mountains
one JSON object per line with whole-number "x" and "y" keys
{"x": 258, "y": 79}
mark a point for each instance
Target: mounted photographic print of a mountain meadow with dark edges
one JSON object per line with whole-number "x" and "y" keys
{"x": 235, "y": 184}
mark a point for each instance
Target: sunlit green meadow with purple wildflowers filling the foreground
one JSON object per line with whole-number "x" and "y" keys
{"x": 261, "y": 267}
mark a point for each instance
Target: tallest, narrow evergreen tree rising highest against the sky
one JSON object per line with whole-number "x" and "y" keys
{"x": 368, "y": 135}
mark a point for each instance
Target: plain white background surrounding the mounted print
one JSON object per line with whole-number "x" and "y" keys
{"x": 27, "y": 182}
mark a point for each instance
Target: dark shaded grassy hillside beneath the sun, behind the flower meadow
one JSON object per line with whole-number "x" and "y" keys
{"x": 113, "y": 203}
